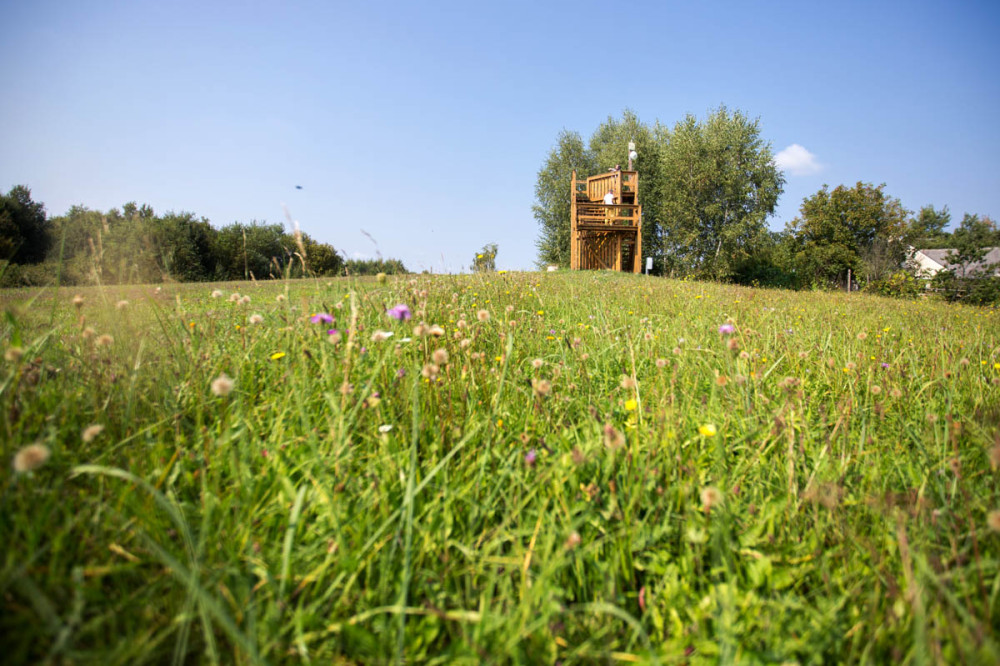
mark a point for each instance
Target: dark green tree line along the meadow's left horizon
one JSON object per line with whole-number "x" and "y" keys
{"x": 135, "y": 245}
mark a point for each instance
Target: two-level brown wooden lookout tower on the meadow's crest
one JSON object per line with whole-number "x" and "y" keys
{"x": 606, "y": 235}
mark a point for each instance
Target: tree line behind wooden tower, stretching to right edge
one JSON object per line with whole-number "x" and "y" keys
{"x": 707, "y": 188}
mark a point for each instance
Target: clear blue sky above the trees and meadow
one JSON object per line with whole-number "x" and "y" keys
{"x": 425, "y": 123}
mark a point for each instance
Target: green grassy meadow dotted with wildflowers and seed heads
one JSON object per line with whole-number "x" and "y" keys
{"x": 535, "y": 468}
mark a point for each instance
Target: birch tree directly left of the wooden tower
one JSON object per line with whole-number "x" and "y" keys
{"x": 552, "y": 197}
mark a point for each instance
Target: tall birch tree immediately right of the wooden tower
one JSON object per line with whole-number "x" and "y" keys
{"x": 719, "y": 185}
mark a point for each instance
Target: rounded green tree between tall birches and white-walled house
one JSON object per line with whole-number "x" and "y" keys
{"x": 858, "y": 228}
